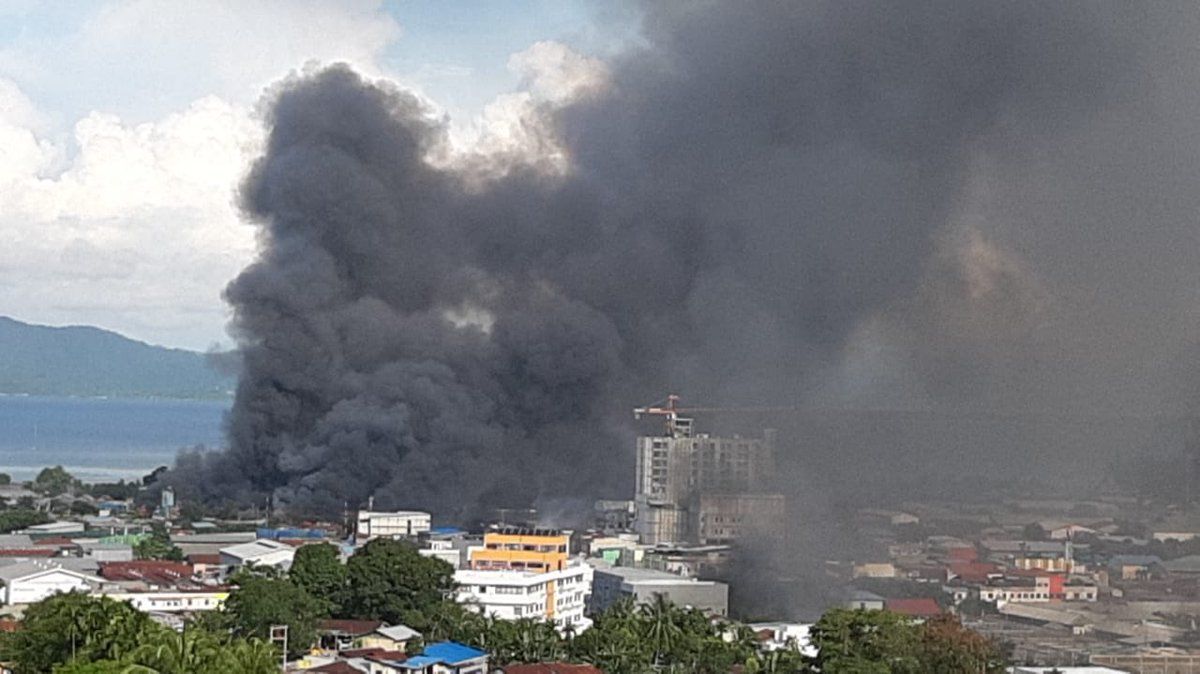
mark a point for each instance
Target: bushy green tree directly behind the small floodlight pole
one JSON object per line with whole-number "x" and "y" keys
{"x": 260, "y": 601}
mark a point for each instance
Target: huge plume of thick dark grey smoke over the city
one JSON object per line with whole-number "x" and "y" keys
{"x": 940, "y": 206}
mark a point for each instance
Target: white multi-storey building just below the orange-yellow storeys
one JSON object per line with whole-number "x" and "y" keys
{"x": 559, "y": 597}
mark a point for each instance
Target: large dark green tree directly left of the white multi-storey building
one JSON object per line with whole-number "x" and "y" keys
{"x": 391, "y": 581}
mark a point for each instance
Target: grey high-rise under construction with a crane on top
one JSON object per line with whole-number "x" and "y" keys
{"x": 698, "y": 489}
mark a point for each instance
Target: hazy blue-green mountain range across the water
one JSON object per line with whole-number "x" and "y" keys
{"x": 88, "y": 362}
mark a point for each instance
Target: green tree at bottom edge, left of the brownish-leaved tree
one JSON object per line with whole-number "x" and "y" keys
{"x": 865, "y": 642}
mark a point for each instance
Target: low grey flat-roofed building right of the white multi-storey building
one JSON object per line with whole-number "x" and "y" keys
{"x": 614, "y": 583}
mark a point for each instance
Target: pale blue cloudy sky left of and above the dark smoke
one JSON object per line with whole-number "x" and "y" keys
{"x": 127, "y": 127}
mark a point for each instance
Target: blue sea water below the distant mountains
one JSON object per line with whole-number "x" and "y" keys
{"x": 100, "y": 440}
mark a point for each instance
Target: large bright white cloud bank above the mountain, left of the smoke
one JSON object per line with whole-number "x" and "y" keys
{"x": 140, "y": 233}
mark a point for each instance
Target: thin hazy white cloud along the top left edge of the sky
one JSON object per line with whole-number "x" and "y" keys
{"x": 137, "y": 56}
